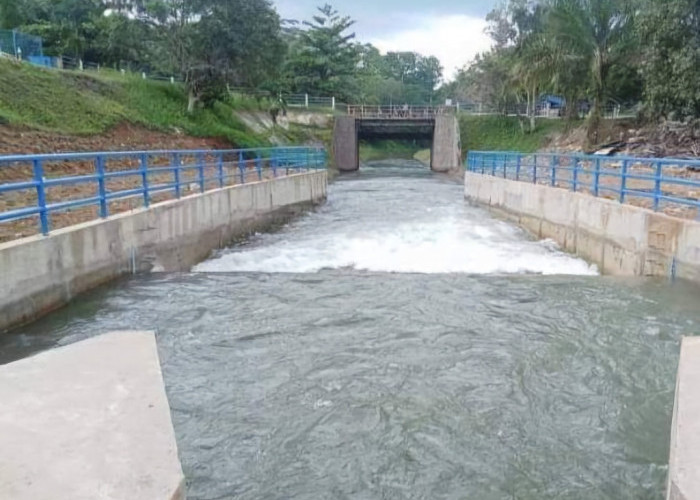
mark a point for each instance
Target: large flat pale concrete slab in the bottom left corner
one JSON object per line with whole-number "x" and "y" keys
{"x": 89, "y": 421}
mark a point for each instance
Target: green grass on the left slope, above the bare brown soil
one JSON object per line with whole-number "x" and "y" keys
{"x": 85, "y": 104}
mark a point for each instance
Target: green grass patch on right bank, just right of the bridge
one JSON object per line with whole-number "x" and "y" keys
{"x": 499, "y": 133}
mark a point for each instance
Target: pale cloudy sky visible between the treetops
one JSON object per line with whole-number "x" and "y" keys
{"x": 452, "y": 30}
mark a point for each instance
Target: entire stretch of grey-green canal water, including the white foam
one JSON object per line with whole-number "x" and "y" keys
{"x": 398, "y": 343}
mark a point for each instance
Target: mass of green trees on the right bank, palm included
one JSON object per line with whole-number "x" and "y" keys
{"x": 595, "y": 53}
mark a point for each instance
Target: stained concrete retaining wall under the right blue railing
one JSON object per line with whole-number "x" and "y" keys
{"x": 620, "y": 239}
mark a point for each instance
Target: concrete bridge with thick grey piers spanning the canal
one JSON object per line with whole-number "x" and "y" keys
{"x": 435, "y": 123}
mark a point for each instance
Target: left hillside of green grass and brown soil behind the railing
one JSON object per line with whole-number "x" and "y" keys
{"x": 69, "y": 110}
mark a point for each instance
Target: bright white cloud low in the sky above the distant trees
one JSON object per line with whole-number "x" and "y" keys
{"x": 454, "y": 39}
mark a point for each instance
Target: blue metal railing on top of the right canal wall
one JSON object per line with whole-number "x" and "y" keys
{"x": 662, "y": 184}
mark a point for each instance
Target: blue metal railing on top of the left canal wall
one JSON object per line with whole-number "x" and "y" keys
{"x": 40, "y": 183}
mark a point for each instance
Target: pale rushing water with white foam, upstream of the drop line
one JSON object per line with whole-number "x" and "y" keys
{"x": 370, "y": 231}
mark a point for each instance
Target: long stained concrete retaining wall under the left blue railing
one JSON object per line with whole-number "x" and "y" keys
{"x": 42, "y": 273}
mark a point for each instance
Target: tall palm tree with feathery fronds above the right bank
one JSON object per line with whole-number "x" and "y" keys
{"x": 598, "y": 33}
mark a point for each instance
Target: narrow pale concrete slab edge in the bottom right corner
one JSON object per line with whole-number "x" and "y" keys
{"x": 684, "y": 461}
